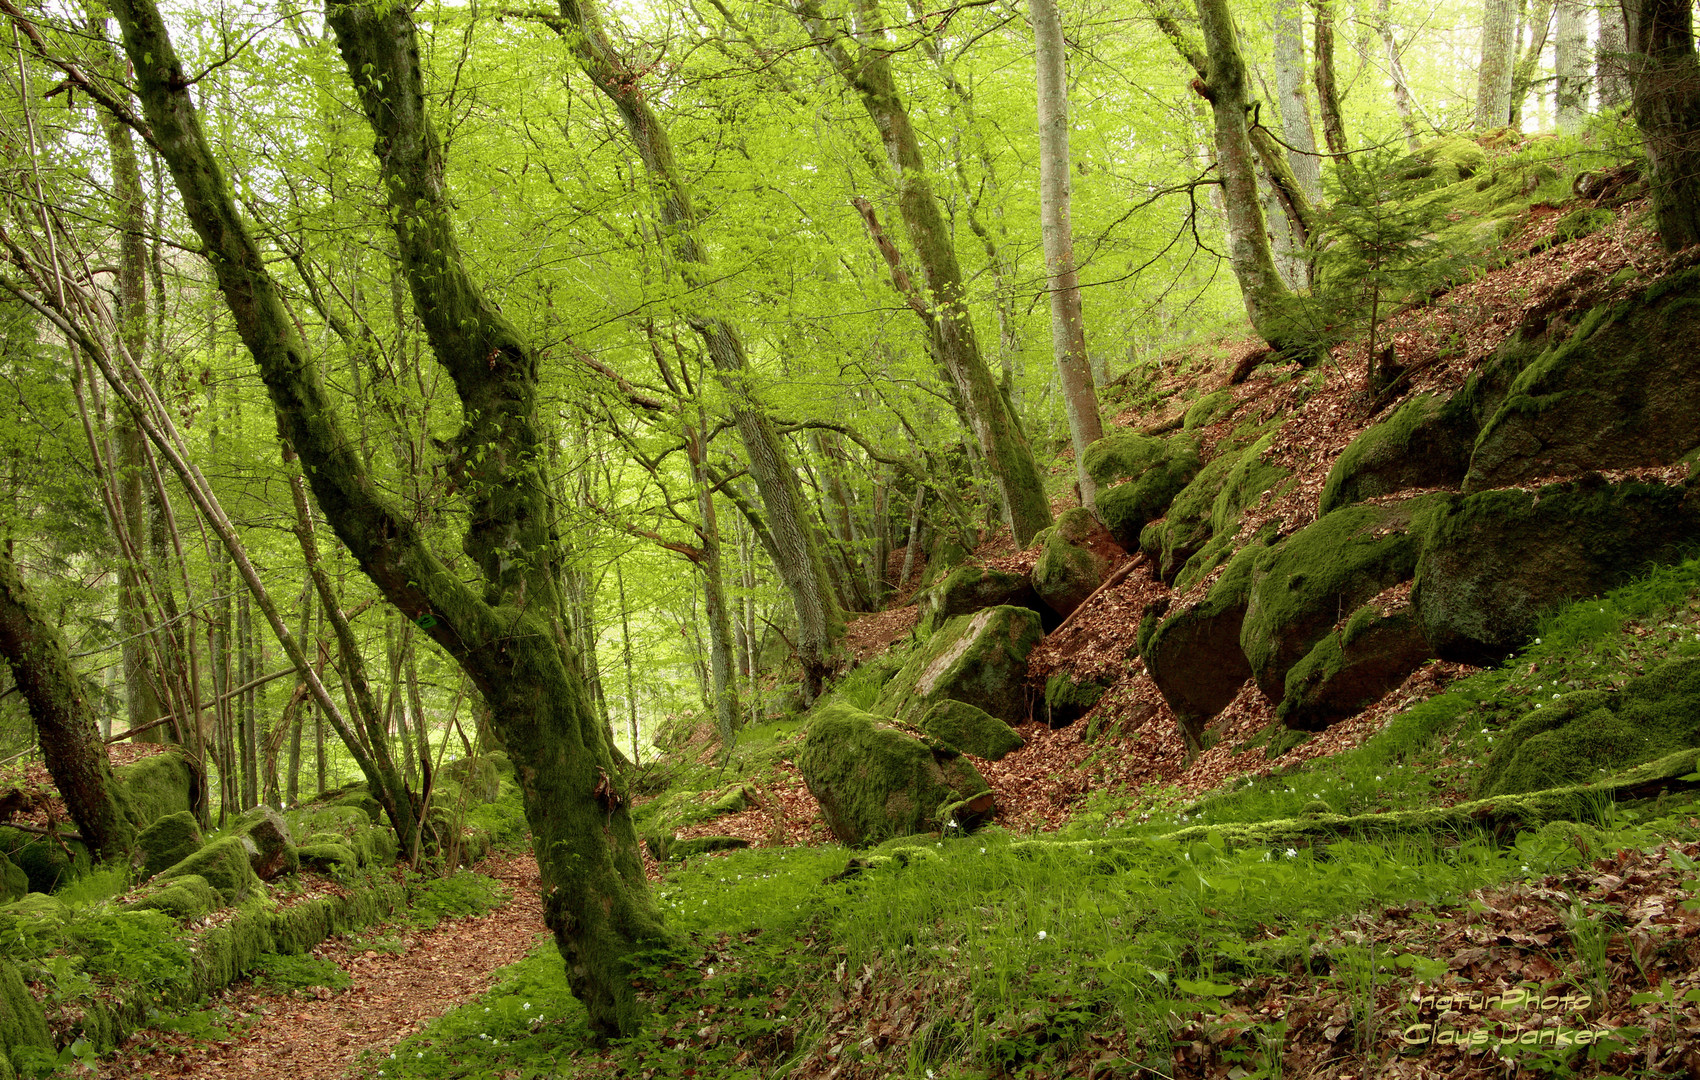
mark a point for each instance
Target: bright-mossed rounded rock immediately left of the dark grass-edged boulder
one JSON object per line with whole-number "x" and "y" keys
{"x": 1334, "y": 566}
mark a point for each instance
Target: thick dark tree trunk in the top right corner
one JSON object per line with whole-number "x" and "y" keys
{"x": 1665, "y": 82}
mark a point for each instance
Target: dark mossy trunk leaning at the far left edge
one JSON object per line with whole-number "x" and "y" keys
{"x": 71, "y": 739}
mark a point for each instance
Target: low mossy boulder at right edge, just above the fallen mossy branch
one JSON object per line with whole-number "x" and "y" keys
{"x": 1589, "y": 732}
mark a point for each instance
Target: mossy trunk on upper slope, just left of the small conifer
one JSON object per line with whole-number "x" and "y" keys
{"x": 1227, "y": 88}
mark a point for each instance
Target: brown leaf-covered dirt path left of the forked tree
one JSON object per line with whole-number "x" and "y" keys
{"x": 394, "y": 996}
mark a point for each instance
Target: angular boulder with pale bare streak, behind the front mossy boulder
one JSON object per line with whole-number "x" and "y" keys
{"x": 978, "y": 659}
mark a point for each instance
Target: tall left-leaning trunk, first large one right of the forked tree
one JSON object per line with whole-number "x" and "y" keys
{"x": 796, "y": 547}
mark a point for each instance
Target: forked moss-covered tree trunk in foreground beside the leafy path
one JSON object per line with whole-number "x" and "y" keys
{"x": 507, "y": 635}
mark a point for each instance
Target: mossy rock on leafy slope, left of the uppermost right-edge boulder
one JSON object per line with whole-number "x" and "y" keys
{"x": 1424, "y": 445}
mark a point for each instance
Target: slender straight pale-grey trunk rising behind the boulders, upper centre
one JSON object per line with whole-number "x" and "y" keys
{"x": 1068, "y": 322}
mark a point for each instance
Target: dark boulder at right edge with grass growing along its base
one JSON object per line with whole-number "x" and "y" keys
{"x": 1495, "y": 562}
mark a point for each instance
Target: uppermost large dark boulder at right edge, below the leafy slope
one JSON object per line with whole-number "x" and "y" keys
{"x": 1623, "y": 390}
